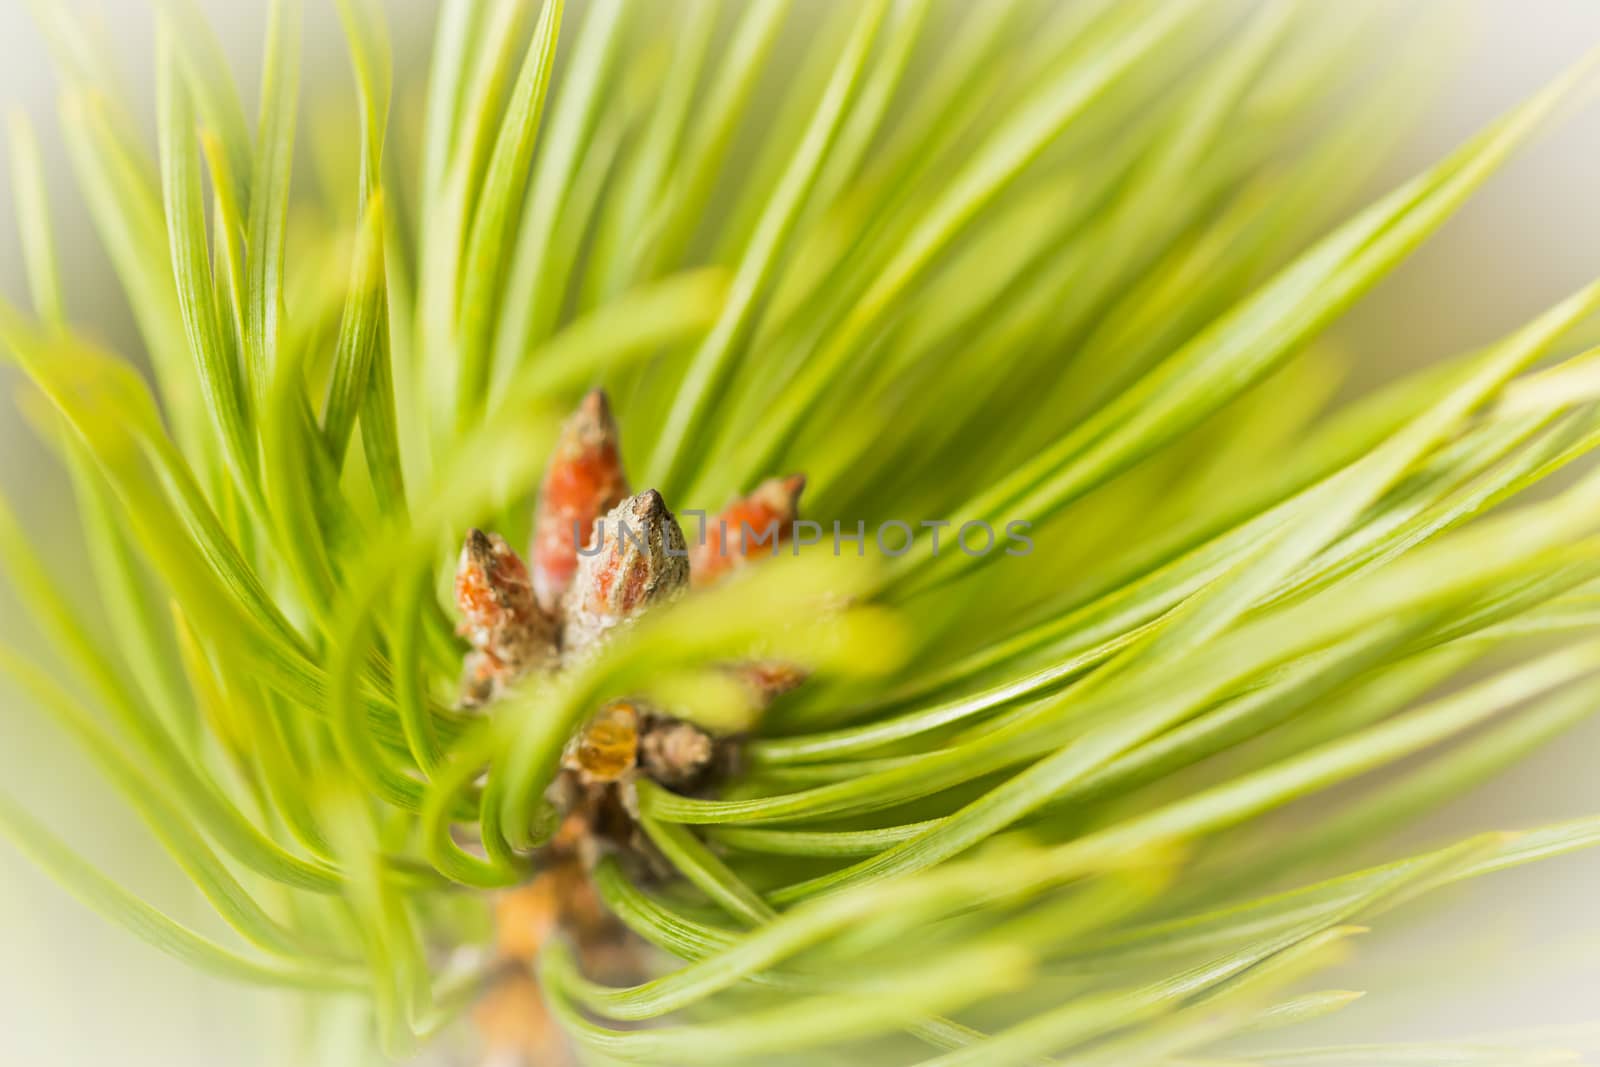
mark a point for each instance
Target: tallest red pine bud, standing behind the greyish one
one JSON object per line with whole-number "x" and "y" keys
{"x": 583, "y": 482}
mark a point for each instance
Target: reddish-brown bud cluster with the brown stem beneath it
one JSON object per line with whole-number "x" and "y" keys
{"x": 601, "y": 557}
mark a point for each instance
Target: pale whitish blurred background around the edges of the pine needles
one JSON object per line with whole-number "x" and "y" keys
{"x": 1519, "y": 951}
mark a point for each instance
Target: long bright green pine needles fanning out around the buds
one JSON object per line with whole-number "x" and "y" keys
{"x": 1020, "y": 262}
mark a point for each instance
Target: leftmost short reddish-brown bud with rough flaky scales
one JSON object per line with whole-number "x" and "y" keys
{"x": 498, "y": 613}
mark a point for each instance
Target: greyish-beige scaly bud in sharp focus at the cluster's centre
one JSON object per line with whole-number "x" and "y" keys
{"x": 636, "y": 559}
